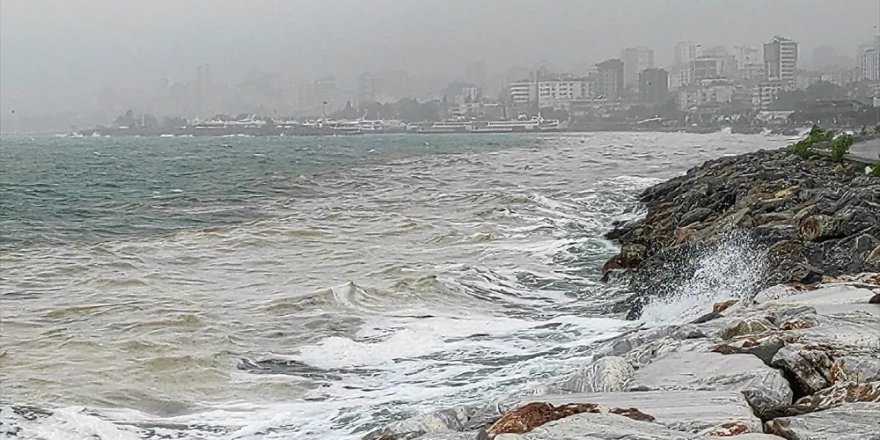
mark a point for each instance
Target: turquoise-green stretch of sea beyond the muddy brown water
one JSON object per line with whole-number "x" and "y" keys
{"x": 56, "y": 190}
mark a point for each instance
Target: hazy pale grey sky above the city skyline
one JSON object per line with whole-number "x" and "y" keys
{"x": 55, "y": 55}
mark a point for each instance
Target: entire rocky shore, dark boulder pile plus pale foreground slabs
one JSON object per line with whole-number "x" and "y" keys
{"x": 791, "y": 352}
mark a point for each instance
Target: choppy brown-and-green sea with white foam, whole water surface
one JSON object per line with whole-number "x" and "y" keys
{"x": 306, "y": 288}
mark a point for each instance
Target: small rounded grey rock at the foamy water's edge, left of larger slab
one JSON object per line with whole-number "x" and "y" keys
{"x": 606, "y": 374}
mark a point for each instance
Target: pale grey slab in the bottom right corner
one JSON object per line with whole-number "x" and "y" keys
{"x": 850, "y": 421}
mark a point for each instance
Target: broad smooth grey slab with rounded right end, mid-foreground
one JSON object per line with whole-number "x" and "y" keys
{"x": 762, "y": 386}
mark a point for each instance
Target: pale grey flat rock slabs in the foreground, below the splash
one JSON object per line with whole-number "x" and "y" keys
{"x": 789, "y": 364}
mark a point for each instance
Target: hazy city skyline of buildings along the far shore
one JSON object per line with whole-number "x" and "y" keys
{"x": 701, "y": 83}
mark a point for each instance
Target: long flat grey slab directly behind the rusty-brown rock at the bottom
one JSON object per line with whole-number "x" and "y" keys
{"x": 689, "y": 411}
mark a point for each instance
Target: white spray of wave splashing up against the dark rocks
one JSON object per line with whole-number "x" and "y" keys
{"x": 732, "y": 268}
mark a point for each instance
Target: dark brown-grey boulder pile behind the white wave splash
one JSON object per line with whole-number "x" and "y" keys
{"x": 808, "y": 219}
